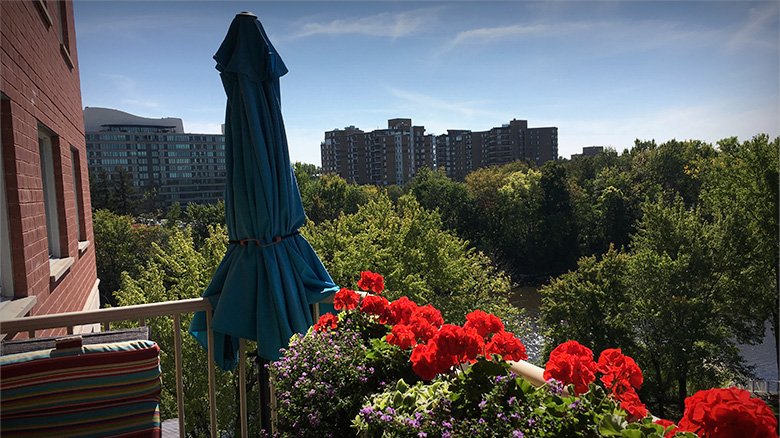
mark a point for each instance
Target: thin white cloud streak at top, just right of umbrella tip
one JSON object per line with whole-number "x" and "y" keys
{"x": 386, "y": 24}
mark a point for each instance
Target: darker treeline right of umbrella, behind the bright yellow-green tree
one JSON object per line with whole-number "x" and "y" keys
{"x": 668, "y": 251}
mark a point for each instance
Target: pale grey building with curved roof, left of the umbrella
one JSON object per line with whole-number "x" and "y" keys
{"x": 181, "y": 167}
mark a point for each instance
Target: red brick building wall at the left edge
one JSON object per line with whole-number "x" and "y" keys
{"x": 41, "y": 92}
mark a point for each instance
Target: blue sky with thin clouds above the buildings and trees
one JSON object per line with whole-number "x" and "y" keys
{"x": 604, "y": 73}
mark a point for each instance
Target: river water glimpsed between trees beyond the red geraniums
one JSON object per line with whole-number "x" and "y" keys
{"x": 763, "y": 356}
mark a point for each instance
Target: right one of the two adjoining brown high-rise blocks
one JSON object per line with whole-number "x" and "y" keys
{"x": 461, "y": 152}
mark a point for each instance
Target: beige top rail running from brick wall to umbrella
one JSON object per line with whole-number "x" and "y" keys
{"x": 136, "y": 312}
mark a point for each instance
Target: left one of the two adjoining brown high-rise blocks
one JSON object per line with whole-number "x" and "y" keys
{"x": 382, "y": 157}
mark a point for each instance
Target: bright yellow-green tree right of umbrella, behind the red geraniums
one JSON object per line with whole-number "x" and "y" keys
{"x": 407, "y": 245}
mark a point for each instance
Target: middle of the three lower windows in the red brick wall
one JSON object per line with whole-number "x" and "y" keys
{"x": 49, "y": 191}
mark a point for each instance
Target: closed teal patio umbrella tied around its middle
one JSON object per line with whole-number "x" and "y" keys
{"x": 270, "y": 275}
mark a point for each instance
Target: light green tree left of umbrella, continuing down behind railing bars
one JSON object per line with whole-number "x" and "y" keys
{"x": 178, "y": 271}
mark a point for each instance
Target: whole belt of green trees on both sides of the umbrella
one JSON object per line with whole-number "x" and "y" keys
{"x": 668, "y": 251}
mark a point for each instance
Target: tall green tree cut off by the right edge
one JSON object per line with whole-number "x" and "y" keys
{"x": 740, "y": 192}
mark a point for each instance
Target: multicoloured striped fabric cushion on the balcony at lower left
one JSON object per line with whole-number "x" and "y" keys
{"x": 103, "y": 390}
